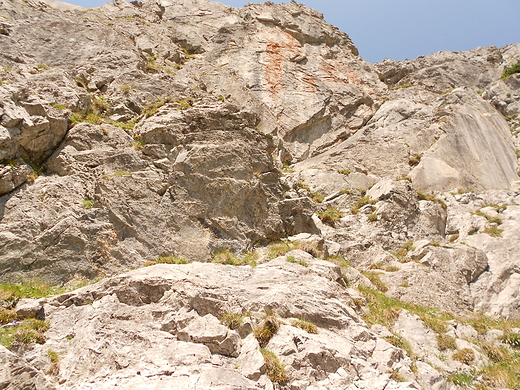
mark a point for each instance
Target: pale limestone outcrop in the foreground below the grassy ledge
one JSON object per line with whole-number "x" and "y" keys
{"x": 170, "y": 312}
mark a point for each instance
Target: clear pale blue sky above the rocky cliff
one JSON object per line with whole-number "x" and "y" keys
{"x": 400, "y": 29}
